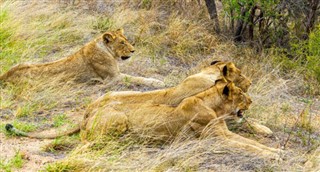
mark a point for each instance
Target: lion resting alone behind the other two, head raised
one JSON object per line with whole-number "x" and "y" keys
{"x": 96, "y": 60}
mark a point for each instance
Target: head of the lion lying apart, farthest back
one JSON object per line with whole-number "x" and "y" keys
{"x": 118, "y": 44}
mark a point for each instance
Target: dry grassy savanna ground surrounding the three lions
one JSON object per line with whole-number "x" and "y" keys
{"x": 172, "y": 41}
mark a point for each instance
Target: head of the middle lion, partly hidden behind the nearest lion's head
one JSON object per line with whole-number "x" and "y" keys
{"x": 233, "y": 74}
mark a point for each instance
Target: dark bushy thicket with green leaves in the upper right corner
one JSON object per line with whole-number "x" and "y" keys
{"x": 281, "y": 25}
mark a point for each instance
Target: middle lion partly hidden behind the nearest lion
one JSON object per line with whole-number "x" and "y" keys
{"x": 190, "y": 86}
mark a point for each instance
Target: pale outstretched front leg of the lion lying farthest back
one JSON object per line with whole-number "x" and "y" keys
{"x": 141, "y": 80}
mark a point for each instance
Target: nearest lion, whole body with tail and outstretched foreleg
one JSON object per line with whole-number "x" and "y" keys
{"x": 201, "y": 115}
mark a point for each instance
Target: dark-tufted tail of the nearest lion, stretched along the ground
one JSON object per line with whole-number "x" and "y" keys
{"x": 10, "y": 128}
